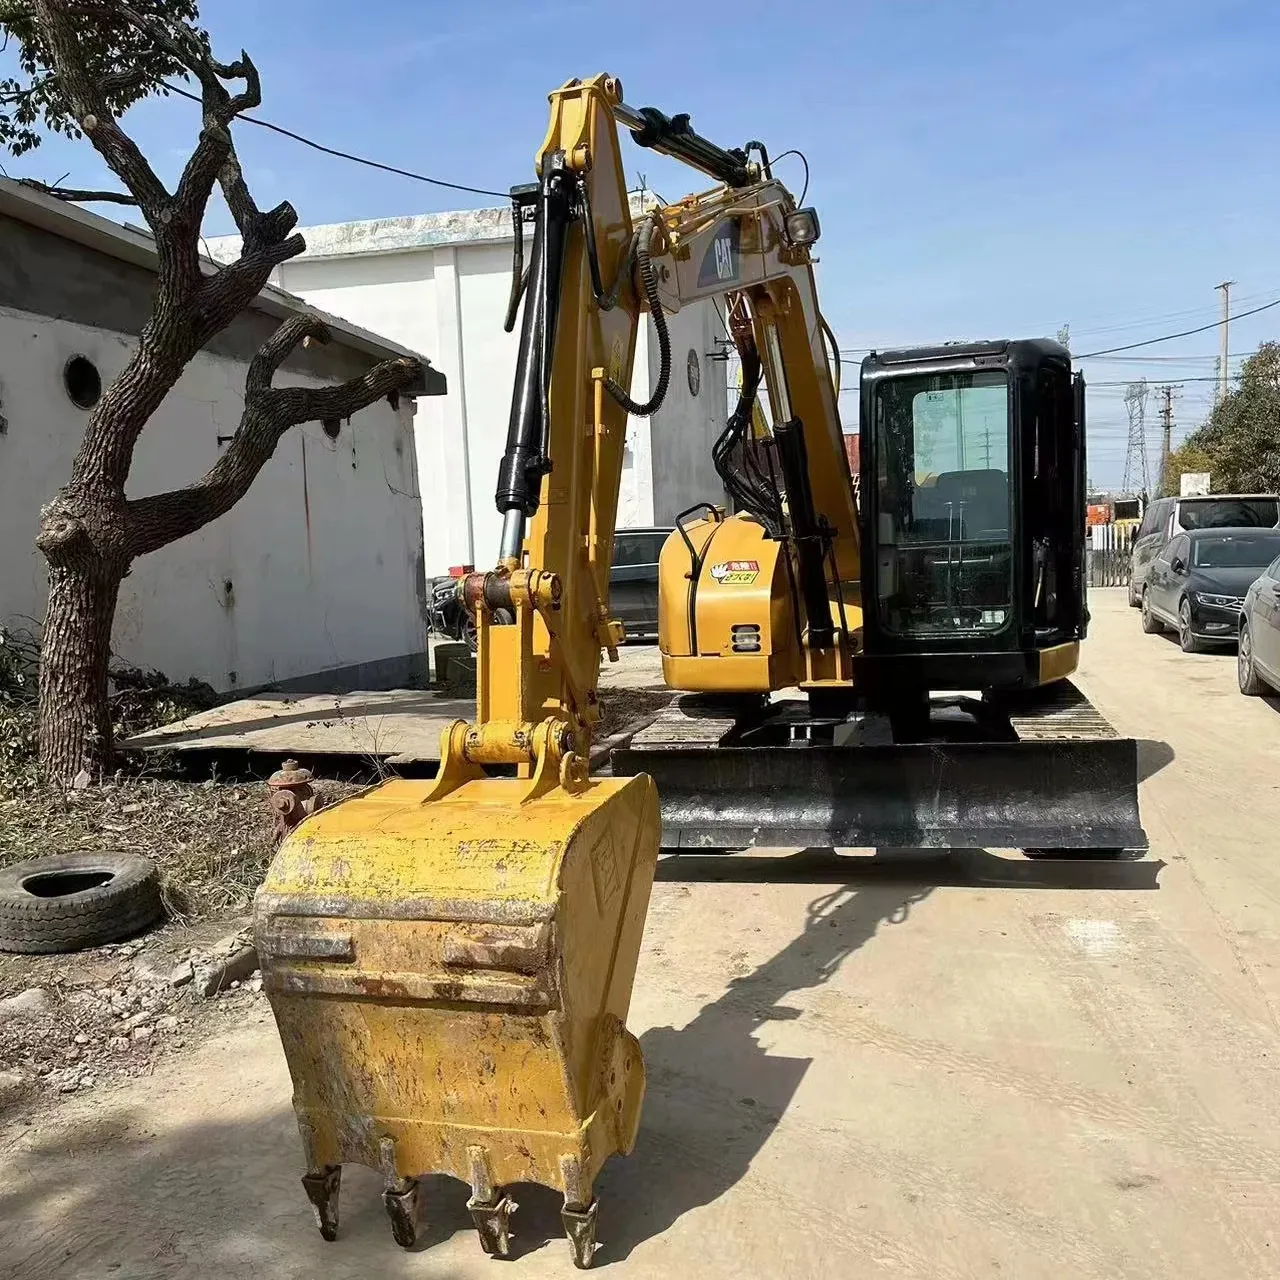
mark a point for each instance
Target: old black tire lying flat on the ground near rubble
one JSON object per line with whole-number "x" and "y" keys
{"x": 72, "y": 902}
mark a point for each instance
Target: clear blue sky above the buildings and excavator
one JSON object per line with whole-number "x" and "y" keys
{"x": 981, "y": 168}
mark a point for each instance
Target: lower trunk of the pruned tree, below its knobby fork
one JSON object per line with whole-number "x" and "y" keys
{"x": 75, "y": 714}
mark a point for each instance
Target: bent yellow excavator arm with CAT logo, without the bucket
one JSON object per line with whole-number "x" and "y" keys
{"x": 592, "y": 275}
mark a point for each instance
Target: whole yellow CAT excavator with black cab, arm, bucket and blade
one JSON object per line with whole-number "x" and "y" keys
{"x": 451, "y": 962}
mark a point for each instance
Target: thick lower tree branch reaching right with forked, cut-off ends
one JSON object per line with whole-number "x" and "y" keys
{"x": 269, "y": 413}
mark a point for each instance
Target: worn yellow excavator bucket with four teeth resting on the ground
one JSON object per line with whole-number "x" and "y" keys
{"x": 450, "y": 966}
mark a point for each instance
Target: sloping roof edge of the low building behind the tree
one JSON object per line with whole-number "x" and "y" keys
{"x": 134, "y": 245}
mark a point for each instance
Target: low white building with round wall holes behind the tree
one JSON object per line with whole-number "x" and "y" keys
{"x": 316, "y": 579}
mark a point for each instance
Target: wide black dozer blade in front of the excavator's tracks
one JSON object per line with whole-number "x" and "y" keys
{"x": 1063, "y": 796}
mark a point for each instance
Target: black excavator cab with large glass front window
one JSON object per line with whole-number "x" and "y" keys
{"x": 972, "y": 514}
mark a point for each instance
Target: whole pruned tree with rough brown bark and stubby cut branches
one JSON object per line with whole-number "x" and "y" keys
{"x": 90, "y": 533}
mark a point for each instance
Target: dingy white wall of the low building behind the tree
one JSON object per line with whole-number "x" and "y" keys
{"x": 319, "y": 566}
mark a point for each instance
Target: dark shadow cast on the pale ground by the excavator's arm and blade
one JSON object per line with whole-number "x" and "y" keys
{"x": 715, "y": 1094}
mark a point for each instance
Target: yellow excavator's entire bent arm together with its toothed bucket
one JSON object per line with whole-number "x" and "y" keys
{"x": 451, "y": 962}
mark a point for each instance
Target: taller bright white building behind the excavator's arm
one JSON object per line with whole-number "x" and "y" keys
{"x": 441, "y": 284}
